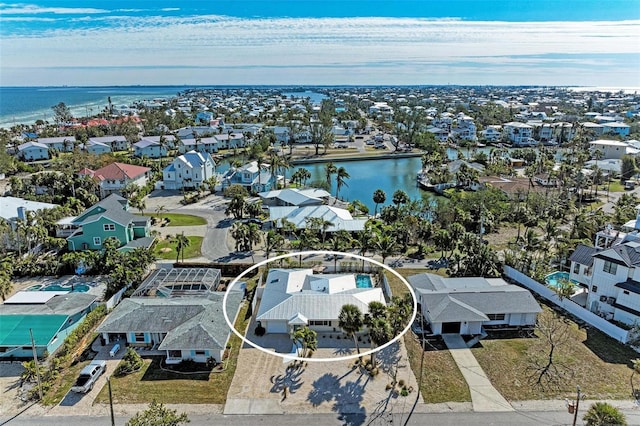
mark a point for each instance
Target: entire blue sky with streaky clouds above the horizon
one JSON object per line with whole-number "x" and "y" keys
{"x": 547, "y": 42}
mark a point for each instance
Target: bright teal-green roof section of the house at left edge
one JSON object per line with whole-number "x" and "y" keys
{"x": 14, "y": 329}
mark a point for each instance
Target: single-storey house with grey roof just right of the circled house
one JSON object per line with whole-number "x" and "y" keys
{"x": 472, "y": 305}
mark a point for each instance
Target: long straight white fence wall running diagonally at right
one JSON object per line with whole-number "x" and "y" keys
{"x": 592, "y": 319}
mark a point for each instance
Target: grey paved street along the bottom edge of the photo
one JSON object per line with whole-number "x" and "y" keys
{"x": 524, "y": 418}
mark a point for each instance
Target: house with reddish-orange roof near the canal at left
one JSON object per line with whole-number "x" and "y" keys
{"x": 114, "y": 177}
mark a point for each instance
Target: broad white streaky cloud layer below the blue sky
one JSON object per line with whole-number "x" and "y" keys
{"x": 377, "y": 50}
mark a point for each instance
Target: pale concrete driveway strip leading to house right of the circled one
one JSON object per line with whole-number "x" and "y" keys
{"x": 484, "y": 397}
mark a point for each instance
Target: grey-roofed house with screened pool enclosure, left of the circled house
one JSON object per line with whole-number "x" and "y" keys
{"x": 176, "y": 313}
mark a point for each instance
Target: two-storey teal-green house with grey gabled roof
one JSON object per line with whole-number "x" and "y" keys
{"x": 109, "y": 218}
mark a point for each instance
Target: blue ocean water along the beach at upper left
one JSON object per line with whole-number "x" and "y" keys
{"x": 25, "y": 105}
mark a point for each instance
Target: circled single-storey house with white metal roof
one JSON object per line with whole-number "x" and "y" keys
{"x": 293, "y": 298}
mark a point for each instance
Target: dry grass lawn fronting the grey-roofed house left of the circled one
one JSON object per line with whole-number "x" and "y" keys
{"x": 172, "y": 388}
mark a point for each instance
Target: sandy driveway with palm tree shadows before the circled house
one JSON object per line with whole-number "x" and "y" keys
{"x": 329, "y": 387}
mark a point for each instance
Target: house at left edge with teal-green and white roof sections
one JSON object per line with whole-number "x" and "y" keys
{"x": 50, "y": 315}
